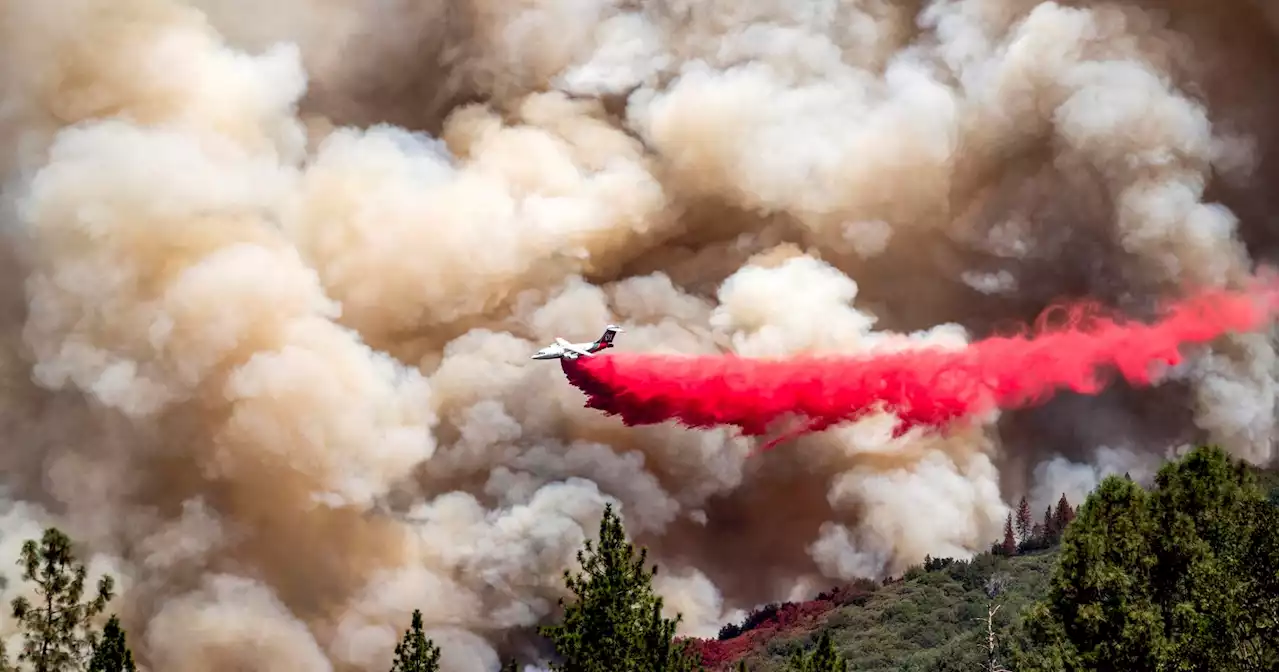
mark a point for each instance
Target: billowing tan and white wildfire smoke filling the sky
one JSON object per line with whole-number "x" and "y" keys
{"x": 275, "y": 272}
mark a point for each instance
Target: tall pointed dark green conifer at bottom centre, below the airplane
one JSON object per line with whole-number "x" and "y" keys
{"x": 616, "y": 624}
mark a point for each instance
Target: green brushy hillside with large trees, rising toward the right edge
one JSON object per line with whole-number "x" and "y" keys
{"x": 1178, "y": 578}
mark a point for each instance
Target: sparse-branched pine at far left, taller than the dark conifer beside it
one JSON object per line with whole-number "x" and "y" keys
{"x": 58, "y": 629}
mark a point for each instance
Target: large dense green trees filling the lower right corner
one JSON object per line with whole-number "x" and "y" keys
{"x": 1180, "y": 579}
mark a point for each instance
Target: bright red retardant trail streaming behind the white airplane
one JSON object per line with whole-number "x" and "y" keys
{"x": 926, "y": 387}
